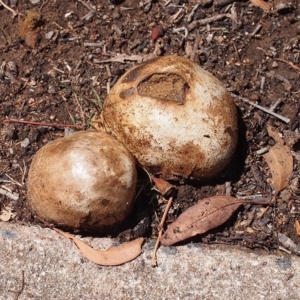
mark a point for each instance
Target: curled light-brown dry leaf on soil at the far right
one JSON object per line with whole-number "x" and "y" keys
{"x": 280, "y": 161}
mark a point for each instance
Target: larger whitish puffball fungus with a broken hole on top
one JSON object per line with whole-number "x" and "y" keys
{"x": 177, "y": 119}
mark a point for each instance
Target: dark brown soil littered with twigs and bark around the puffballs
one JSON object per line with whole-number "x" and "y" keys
{"x": 52, "y": 71}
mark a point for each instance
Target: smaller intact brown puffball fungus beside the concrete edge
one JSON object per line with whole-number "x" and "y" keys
{"x": 86, "y": 180}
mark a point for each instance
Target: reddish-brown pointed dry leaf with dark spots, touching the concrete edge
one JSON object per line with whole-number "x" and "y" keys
{"x": 200, "y": 218}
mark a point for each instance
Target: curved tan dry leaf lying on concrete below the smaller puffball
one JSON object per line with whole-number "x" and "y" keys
{"x": 113, "y": 256}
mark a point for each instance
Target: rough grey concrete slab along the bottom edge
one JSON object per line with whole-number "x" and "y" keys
{"x": 53, "y": 269}
